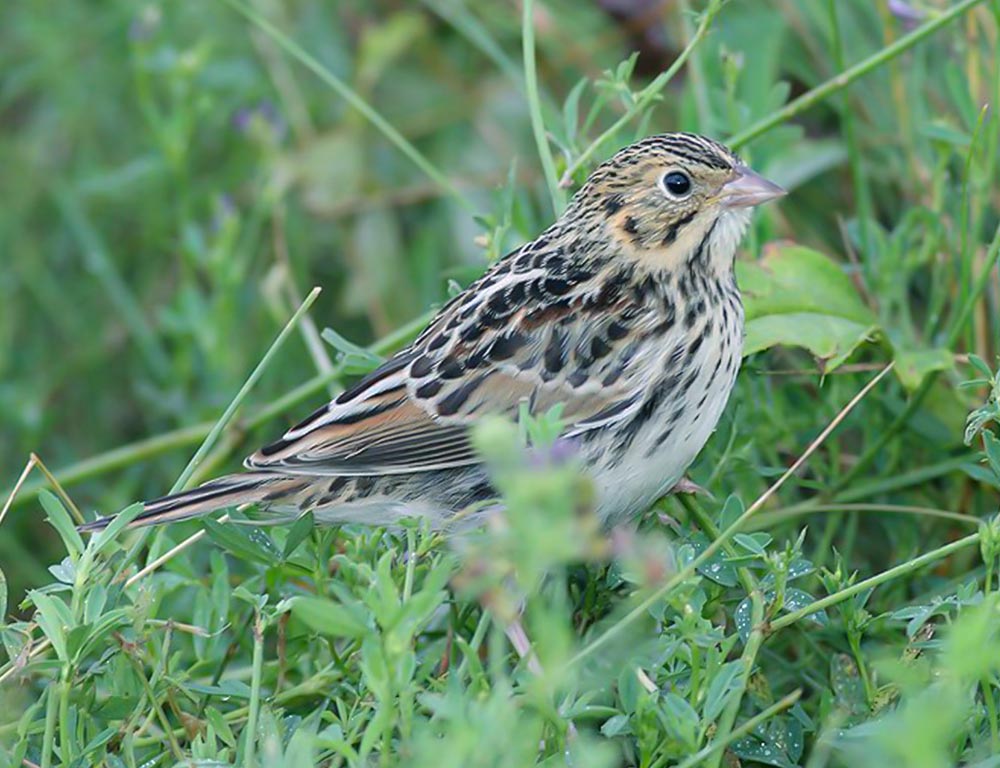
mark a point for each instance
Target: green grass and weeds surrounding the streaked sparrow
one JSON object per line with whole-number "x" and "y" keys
{"x": 177, "y": 177}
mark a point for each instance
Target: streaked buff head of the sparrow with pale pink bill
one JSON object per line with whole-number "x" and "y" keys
{"x": 671, "y": 198}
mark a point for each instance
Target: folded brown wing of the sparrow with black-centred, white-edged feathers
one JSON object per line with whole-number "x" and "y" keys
{"x": 517, "y": 335}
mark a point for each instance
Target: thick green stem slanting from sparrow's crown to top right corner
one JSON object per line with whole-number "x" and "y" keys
{"x": 849, "y": 75}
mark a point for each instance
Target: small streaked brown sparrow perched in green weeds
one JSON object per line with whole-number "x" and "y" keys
{"x": 625, "y": 312}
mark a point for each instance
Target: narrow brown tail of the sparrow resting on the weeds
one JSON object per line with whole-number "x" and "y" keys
{"x": 228, "y": 491}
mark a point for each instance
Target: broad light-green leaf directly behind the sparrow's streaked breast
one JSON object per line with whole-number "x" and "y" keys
{"x": 798, "y": 297}
